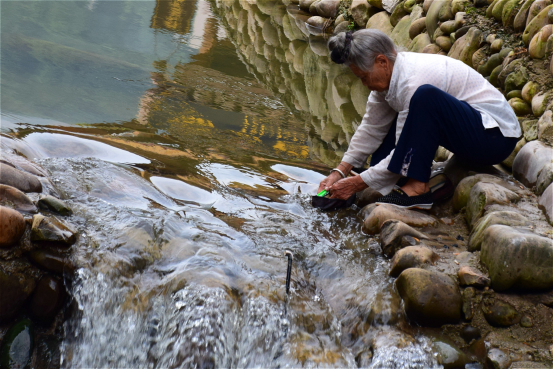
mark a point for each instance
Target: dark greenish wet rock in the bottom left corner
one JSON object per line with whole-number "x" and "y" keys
{"x": 17, "y": 346}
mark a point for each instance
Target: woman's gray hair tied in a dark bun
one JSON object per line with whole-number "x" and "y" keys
{"x": 361, "y": 48}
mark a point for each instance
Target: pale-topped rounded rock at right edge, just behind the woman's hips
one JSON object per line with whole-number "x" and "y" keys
{"x": 529, "y": 162}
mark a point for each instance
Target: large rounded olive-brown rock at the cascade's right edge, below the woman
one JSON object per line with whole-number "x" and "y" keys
{"x": 430, "y": 298}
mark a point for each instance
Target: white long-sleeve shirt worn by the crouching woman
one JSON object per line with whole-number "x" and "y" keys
{"x": 410, "y": 71}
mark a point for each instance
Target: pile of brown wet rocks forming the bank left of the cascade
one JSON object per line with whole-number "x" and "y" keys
{"x": 35, "y": 266}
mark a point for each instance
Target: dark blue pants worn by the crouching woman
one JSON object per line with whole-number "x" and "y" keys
{"x": 439, "y": 119}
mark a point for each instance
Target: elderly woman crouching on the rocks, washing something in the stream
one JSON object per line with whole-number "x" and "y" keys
{"x": 418, "y": 103}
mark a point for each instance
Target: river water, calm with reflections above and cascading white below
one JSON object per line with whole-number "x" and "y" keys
{"x": 189, "y": 153}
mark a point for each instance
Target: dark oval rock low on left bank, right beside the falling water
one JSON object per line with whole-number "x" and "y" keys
{"x": 47, "y": 298}
